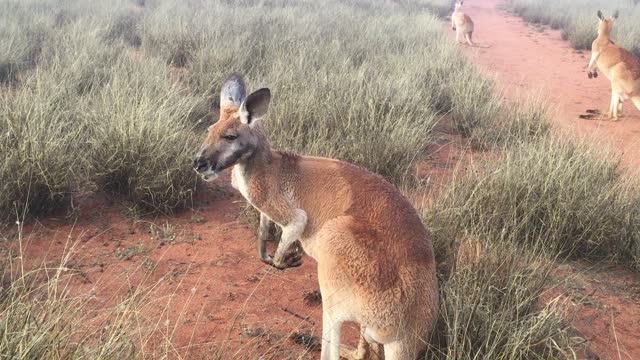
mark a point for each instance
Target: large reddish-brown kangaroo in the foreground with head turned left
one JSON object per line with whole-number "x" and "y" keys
{"x": 375, "y": 259}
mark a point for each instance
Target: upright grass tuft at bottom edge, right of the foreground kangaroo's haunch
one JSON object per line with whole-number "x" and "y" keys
{"x": 491, "y": 307}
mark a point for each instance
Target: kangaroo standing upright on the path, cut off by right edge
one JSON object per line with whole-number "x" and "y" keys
{"x": 619, "y": 66}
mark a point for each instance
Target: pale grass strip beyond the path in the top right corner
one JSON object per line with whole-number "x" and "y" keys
{"x": 578, "y": 20}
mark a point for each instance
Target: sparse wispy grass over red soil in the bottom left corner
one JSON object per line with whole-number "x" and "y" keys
{"x": 42, "y": 318}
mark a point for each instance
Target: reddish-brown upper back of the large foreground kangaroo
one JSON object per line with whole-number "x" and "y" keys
{"x": 355, "y": 192}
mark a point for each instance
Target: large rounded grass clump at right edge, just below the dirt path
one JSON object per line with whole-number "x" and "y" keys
{"x": 553, "y": 196}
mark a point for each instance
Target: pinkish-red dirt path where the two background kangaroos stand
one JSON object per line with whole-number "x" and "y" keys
{"x": 525, "y": 60}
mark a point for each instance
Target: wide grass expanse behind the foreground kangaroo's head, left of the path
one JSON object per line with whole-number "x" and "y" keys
{"x": 129, "y": 92}
